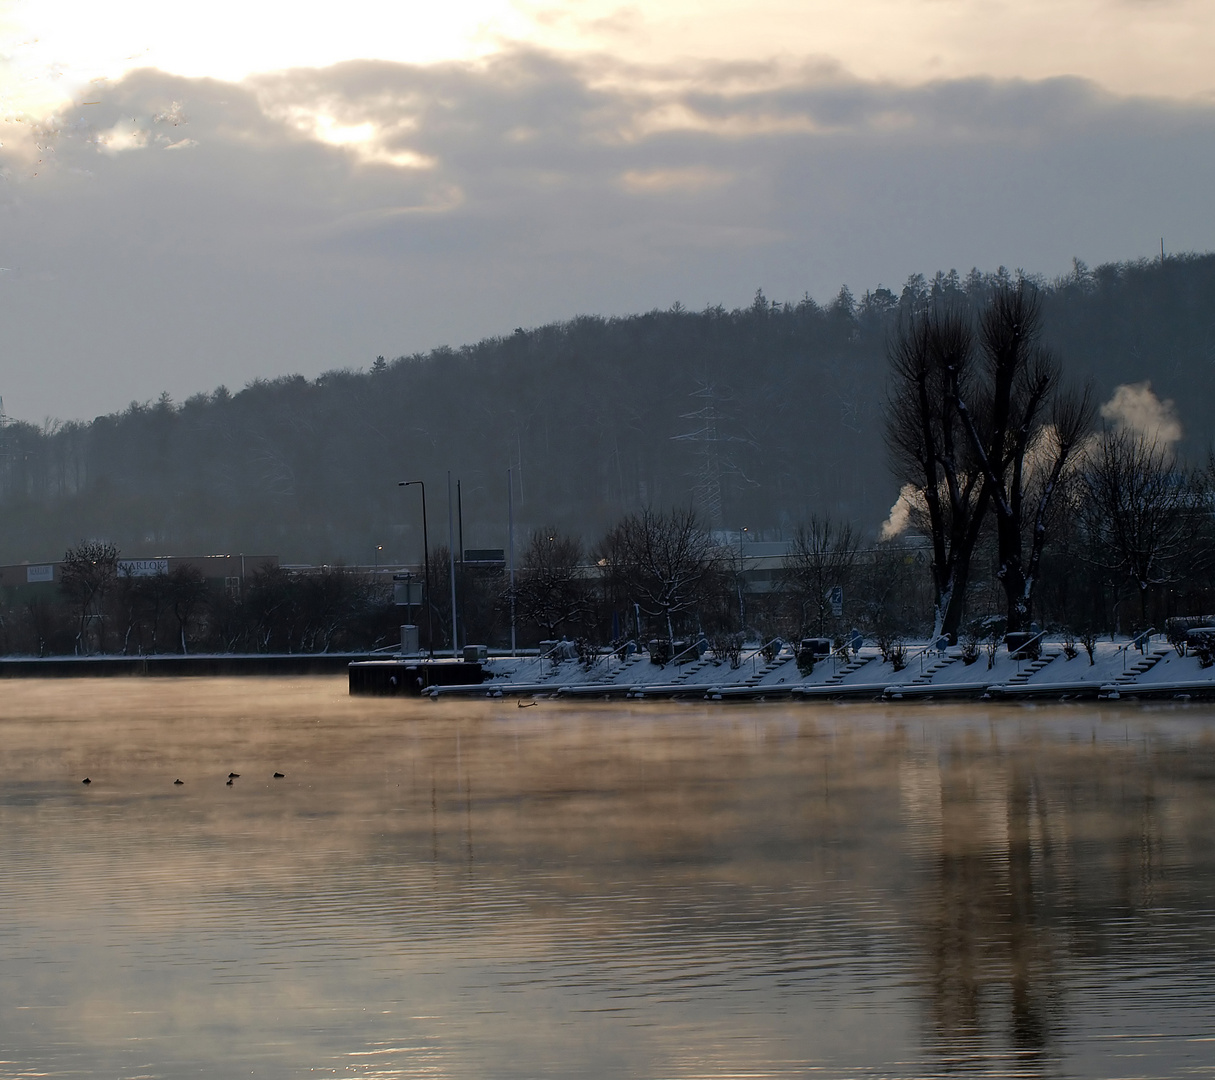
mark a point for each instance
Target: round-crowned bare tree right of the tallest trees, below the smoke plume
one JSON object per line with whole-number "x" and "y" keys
{"x": 1143, "y": 512}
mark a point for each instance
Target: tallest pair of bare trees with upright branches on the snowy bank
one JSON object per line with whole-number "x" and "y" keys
{"x": 970, "y": 438}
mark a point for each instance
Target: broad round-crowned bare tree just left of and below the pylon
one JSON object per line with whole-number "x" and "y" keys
{"x": 664, "y": 563}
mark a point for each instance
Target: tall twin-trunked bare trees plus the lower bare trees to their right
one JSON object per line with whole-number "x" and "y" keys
{"x": 999, "y": 456}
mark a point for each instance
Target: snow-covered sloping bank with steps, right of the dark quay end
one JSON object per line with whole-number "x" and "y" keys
{"x": 1117, "y": 670}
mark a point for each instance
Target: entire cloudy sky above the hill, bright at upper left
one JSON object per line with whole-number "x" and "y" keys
{"x": 204, "y": 196}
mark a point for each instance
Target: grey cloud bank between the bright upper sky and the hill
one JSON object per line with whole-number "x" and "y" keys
{"x": 325, "y": 217}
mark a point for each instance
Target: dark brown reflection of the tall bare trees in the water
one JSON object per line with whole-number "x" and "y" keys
{"x": 1042, "y": 851}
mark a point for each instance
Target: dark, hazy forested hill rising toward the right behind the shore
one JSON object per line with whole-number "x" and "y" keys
{"x": 761, "y": 416}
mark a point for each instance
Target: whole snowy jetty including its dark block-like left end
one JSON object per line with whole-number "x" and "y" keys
{"x": 1145, "y": 668}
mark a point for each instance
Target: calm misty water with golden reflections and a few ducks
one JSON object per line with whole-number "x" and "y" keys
{"x": 484, "y": 891}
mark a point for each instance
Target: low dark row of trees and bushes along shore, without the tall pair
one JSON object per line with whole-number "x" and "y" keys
{"x": 1129, "y": 547}
